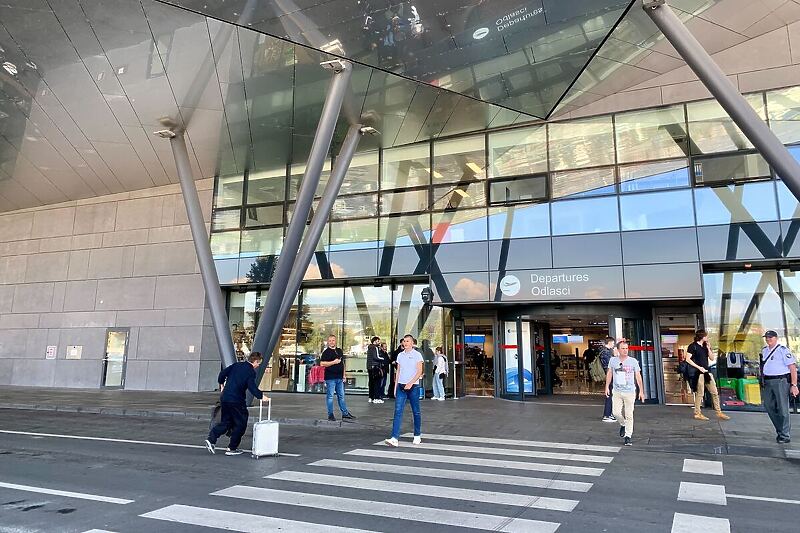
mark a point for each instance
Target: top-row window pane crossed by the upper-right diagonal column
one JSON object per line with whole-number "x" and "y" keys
{"x": 712, "y": 130}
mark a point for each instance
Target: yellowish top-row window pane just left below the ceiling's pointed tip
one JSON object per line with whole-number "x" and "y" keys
{"x": 518, "y": 152}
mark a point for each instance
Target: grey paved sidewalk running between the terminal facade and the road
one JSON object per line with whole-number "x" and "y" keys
{"x": 658, "y": 427}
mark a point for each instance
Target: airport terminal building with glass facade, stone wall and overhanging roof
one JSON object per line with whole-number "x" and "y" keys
{"x": 510, "y": 180}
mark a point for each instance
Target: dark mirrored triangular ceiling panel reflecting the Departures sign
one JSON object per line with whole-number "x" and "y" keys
{"x": 520, "y": 54}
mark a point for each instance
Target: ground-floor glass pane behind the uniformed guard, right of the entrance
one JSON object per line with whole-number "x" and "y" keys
{"x": 739, "y": 307}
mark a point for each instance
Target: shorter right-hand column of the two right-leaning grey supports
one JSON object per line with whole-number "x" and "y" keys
{"x": 315, "y": 231}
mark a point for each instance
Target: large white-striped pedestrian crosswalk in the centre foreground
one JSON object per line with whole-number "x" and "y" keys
{"x": 448, "y": 481}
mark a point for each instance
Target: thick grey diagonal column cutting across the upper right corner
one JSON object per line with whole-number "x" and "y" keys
{"x": 754, "y": 128}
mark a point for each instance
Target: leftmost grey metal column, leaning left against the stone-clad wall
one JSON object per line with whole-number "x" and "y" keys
{"x": 202, "y": 247}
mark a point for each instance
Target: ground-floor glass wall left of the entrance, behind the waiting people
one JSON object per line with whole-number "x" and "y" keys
{"x": 354, "y": 314}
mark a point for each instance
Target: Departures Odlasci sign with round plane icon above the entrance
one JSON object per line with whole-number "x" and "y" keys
{"x": 598, "y": 283}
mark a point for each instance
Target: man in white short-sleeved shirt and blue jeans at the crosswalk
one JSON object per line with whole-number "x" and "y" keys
{"x": 409, "y": 370}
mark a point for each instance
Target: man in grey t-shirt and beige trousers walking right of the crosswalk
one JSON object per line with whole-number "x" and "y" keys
{"x": 626, "y": 374}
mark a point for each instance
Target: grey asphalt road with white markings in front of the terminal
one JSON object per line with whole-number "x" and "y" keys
{"x": 551, "y": 476}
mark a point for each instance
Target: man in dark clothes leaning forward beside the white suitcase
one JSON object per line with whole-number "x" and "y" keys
{"x": 235, "y": 381}
